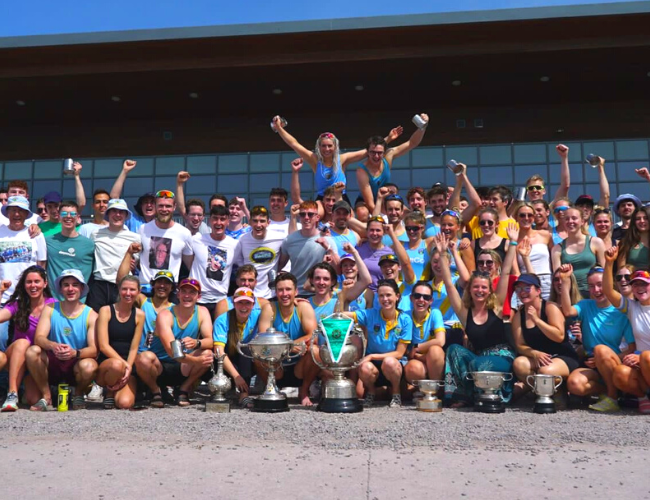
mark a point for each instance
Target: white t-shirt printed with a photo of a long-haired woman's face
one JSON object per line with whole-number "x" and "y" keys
{"x": 162, "y": 249}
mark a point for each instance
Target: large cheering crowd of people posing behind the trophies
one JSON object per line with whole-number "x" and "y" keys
{"x": 445, "y": 281}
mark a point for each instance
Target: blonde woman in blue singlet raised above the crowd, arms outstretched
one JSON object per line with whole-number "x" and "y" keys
{"x": 326, "y": 161}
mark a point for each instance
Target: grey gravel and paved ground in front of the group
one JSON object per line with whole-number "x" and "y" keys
{"x": 380, "y": 453}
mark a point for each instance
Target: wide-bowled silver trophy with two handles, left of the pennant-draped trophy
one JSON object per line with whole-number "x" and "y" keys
{"x": 270, "y": 349}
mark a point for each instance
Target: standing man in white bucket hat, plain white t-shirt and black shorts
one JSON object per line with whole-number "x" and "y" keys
{"x": 111, "y": 243}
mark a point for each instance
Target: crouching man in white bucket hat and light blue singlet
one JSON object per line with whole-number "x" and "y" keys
{"x": 64, "y": 347}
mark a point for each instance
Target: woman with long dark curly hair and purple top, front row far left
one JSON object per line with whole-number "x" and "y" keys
{"x": 24, "y": 307}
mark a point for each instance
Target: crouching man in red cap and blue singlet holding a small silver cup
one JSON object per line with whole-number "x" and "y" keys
{"x": 192, "y": 326}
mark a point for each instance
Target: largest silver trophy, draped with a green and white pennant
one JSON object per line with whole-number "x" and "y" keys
{"x": 342, "y": 346}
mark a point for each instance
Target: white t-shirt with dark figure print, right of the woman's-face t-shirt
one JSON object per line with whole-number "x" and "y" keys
{"x": 212, "y": 265}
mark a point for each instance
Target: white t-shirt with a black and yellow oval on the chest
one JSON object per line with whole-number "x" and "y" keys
{"x": 263, "y": 255}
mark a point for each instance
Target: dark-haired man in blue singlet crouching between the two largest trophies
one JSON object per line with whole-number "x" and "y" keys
{"x": 298, "y": 321}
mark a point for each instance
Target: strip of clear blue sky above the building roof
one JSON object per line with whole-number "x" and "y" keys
{"x": 39, "y": 17}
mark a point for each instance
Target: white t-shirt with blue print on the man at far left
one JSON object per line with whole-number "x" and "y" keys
{"x": 17, "y": 252}
